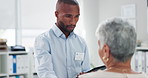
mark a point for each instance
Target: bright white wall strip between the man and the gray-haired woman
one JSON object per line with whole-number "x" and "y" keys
{"x": 90, "y": 20}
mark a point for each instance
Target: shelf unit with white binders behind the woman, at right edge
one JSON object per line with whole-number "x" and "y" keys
{"x": 140, "y": 60}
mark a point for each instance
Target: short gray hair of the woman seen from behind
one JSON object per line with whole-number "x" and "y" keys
{"x": 120, "y": 36}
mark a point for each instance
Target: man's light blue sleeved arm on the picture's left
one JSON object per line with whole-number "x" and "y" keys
{"x": 43, "y": 59}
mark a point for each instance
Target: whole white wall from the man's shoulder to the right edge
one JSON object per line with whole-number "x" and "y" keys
{"x": 96, "y": 11}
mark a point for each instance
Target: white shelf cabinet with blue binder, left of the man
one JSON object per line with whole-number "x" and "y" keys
{"x": 14, "y": 64}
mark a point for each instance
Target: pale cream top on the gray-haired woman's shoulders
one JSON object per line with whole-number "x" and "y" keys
{"x": 104, "y": 74}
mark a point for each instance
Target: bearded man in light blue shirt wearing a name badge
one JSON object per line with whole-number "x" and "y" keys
{"x": 59, "y": 52}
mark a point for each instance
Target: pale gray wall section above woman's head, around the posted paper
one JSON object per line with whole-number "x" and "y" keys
{"x": 110, "y": 8}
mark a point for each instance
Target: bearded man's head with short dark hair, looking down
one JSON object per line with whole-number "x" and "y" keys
{"x": 67, "y": 13}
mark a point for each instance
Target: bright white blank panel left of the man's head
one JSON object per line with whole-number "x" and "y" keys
{"x": 37, "y": 14}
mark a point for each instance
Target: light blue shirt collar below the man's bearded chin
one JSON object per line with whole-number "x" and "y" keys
{"x": 59, "y": 33}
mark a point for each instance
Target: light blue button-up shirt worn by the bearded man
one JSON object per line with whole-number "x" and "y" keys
{"x": 59, "y": 57}
